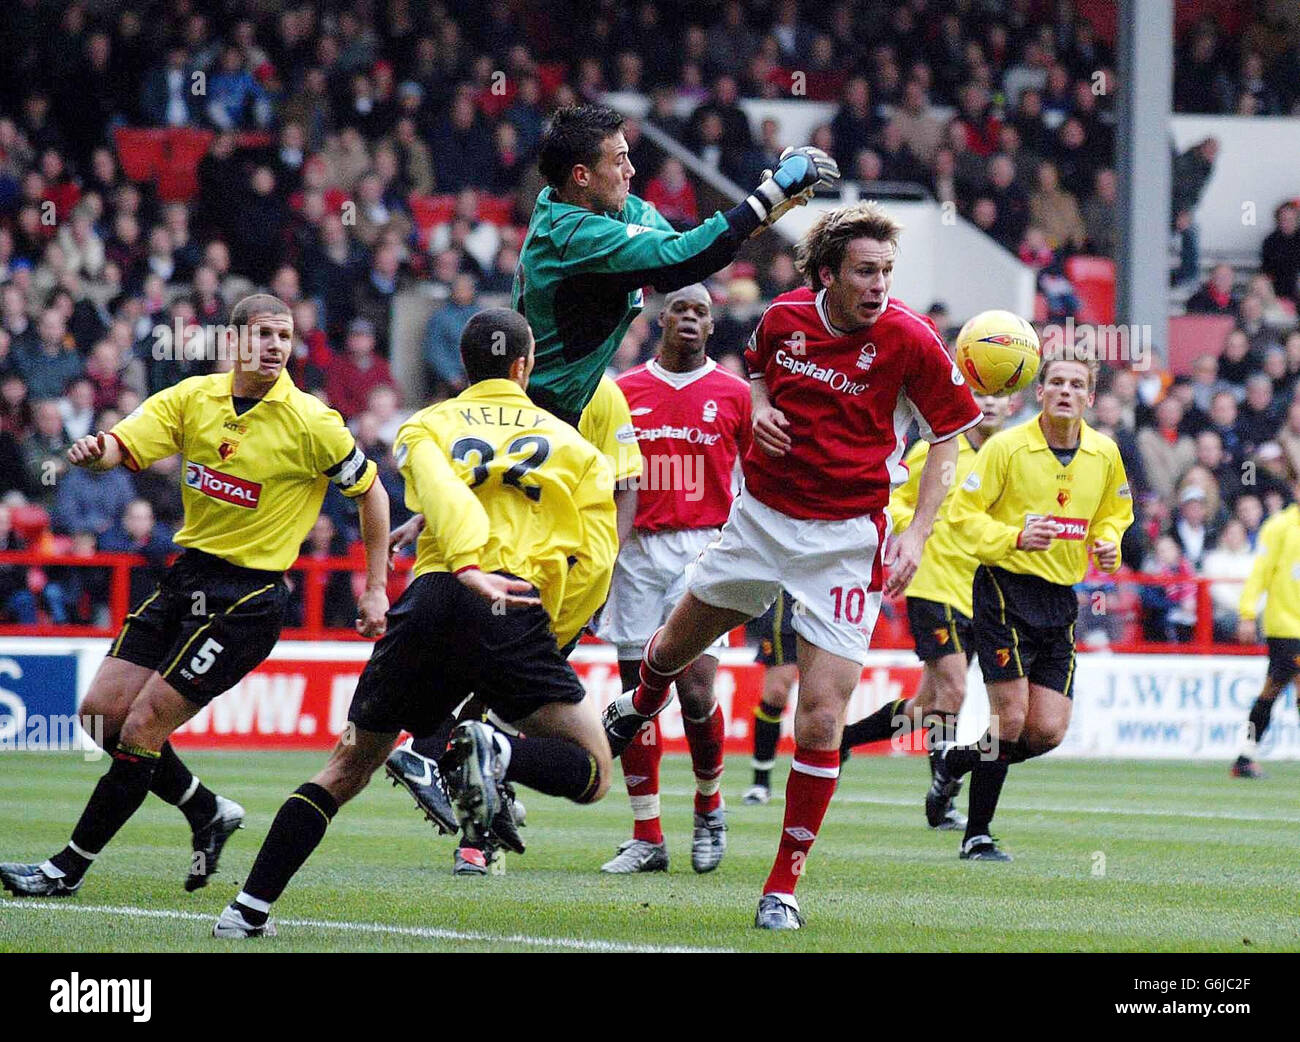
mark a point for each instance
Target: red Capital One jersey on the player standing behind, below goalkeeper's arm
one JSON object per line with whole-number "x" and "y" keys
{"x": 691, "y": 429}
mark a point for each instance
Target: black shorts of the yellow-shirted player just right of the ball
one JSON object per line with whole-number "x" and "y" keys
{"x": 1011, "y": 645}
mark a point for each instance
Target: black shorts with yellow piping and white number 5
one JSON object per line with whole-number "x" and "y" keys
{"x": 206, "y": 626}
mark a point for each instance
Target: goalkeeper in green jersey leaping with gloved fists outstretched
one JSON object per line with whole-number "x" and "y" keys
{"x": 592, "y": 248}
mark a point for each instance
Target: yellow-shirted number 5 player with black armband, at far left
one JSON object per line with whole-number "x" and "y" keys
{"x": 258, "y": 457}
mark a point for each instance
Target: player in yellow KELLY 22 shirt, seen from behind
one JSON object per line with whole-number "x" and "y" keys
{"x": 519, "y": 515}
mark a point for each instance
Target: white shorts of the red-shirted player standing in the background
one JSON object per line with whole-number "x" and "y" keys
{"x": 649, "y": 580}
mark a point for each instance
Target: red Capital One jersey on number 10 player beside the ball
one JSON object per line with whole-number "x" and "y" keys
{"x": 851, "y": 398}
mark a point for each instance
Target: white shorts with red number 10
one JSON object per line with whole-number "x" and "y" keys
{"x": 833, "y": 570}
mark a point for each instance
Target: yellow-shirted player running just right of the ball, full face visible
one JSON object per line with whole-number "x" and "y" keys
{"x": 1041, "y": 498}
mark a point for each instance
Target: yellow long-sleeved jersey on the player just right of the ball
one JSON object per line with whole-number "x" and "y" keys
{"x": 1019, "y": 477}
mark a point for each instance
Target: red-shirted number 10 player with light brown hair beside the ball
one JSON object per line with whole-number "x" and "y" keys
{"x": 838, "y": 372}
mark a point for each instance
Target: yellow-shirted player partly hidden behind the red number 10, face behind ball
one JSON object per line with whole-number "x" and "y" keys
{"x": 939, "y": 615}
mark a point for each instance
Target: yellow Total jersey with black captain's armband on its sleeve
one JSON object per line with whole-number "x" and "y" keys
{"x": 253, "y": 483}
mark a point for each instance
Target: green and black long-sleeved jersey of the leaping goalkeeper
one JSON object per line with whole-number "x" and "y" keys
{"x": 580, "y": 284}
